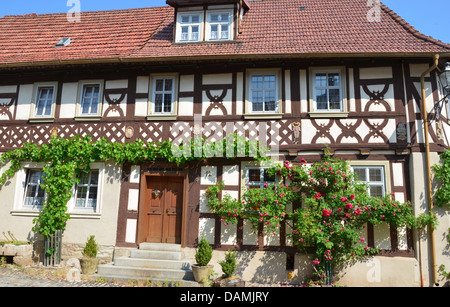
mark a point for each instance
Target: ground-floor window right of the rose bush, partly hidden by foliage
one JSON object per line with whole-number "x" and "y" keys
{"x": 373, "y": 177}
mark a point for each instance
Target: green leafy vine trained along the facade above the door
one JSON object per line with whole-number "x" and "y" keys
{"x": 66, "y": 159}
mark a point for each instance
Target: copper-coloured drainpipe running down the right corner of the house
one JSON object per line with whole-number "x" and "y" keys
{"x": 428, "y": 164}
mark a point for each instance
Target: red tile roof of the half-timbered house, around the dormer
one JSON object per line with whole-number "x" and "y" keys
{"x": 269, "y": 28}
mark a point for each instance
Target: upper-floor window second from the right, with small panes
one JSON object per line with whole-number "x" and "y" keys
{"x": 263, "y": 93}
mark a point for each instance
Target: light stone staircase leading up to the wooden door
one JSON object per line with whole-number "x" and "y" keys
{"x": 151, "y": 262}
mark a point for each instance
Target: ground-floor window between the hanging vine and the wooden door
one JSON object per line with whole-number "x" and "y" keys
{"x": 87, "y": 191}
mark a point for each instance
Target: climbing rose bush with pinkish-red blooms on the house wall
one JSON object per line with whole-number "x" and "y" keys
{"x": 325, "y": 206}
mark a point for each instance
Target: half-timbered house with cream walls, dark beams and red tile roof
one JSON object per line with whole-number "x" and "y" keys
{"x": 302, "y": 74}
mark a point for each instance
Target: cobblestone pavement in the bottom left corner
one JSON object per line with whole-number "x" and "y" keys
{"x": 12, "y": 277}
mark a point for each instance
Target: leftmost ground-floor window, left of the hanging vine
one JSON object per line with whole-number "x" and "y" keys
{"x": 34, "y": 194}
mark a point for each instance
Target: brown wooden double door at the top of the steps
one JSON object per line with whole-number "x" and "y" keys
{"x": 161, "y": 210}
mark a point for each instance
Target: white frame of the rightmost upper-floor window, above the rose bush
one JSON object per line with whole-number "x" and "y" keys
{"x": 343, "y": 109}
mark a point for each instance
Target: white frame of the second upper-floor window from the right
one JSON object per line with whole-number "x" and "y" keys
{"x": 276, "y": 89}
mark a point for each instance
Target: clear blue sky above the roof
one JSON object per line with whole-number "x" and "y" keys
{"x": 429, "y": 17}
